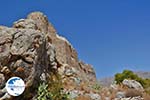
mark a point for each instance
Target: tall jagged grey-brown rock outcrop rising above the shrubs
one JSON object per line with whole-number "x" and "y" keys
{"x": 31, "y": 49}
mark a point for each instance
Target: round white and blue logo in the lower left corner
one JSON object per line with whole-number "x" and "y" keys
{"x": 15, "y": 86}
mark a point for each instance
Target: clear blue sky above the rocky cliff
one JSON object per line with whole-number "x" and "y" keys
{"x": 112, "y": 35}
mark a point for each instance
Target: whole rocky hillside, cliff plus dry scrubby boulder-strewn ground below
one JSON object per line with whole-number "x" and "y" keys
{"x": 32, "y": 50}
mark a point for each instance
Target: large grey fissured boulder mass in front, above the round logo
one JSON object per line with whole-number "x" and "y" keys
{"x": 25, "y": 53}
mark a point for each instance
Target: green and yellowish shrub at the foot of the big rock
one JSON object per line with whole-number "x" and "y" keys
{"x": 53, "y": 90}
